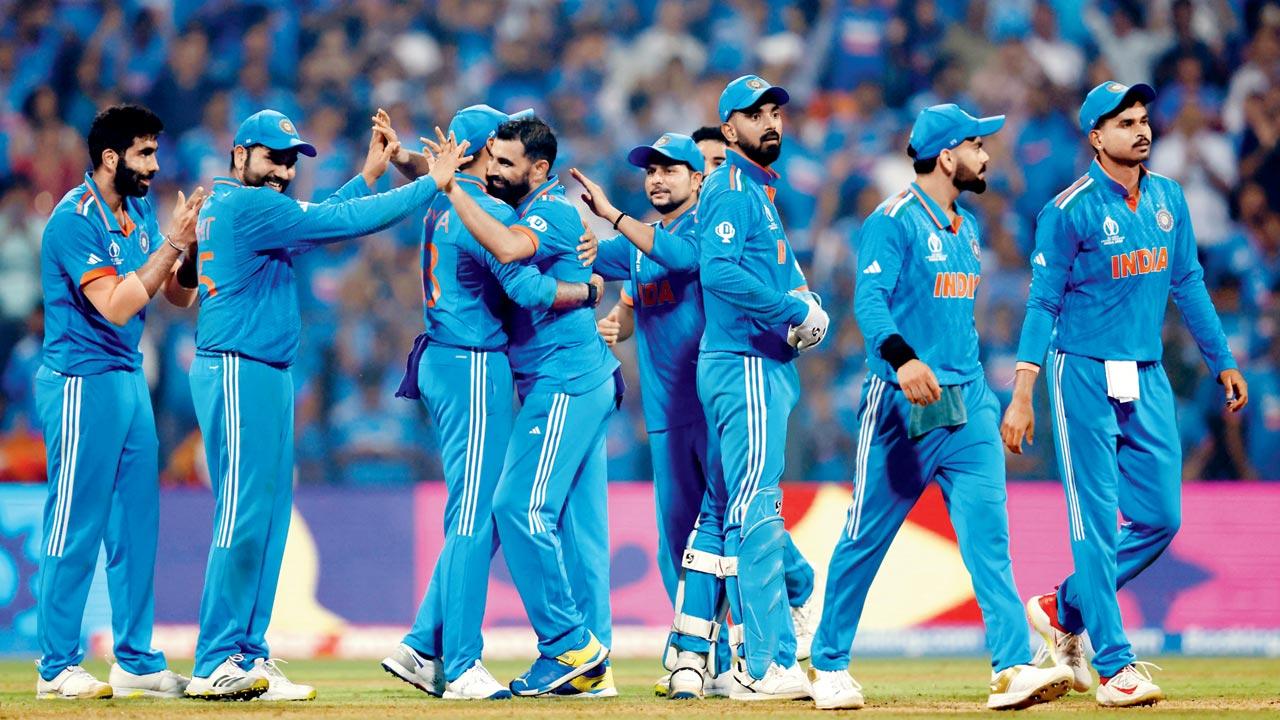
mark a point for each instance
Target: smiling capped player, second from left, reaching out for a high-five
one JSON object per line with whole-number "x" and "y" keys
{"x": 246, "y": 341}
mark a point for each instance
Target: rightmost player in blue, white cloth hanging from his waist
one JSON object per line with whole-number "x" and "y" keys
{"x": 1110, "y": 250}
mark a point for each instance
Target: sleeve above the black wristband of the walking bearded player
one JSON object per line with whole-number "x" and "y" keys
{"x": 880, "y": 254}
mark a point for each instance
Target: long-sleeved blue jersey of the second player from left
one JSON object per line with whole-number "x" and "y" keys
{"x": 249, "y": 297}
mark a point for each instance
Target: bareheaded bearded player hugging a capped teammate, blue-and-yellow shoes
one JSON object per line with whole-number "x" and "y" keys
{"x": 556, "y": 545}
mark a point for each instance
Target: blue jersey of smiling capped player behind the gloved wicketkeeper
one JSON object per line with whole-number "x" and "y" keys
{"x": 668, "y": 298}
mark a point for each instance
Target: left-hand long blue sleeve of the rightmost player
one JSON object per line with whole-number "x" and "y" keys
{"x": 1053, "y": 259}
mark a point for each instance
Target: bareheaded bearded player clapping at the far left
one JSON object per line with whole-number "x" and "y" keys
{"x": 103, "y": 259}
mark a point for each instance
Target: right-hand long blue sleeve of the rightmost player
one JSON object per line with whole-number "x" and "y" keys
{"x": 1187, "y": 286}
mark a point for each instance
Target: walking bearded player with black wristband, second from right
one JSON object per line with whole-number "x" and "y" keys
{"x": 927, "y": 413}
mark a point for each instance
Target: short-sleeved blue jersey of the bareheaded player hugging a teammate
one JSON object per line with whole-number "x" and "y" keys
{"x": 556, "y": 352}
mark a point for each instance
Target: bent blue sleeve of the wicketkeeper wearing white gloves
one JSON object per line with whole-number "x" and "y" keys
{"x": 724, "y": 226}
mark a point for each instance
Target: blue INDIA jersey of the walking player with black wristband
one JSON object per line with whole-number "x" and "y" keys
{"x": 918, "y": 279}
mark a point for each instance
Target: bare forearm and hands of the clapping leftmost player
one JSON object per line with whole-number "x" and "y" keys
{"x": 120, "y": 299}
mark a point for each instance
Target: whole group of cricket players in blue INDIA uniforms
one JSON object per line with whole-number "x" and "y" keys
{"x": 721, "y": 313}
